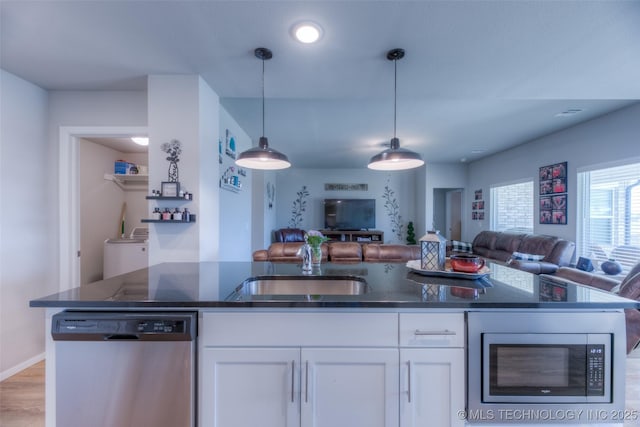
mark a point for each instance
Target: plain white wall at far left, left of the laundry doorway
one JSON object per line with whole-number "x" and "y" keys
{"x": 27, "y": 240}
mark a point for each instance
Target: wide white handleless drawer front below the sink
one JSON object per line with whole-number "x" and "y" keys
{"x": 299, "y": 329}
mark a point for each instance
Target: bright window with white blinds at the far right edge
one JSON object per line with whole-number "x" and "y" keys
{"x": 609, "y": 211}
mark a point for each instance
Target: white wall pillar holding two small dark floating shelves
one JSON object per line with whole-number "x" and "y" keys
{"x": 184, "y": 108}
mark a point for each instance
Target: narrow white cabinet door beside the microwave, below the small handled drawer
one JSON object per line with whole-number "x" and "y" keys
{"x": 432, "y": 387}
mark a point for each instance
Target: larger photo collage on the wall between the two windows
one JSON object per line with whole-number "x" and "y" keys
{"x": 553, "y": 194}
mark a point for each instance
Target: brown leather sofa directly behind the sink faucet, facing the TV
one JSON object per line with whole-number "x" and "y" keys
{"x": 345, "y": 252}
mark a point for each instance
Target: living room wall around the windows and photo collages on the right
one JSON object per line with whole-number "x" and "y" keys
{"x": 610, "y": 138}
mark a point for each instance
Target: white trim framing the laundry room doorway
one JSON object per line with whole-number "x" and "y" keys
{"x": 68, "y": 197}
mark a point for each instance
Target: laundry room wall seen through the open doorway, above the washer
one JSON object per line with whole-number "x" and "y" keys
{"x": 101, "y": 203}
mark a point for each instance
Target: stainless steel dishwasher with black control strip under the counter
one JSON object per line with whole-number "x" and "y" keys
{"x": 119, "y": 369}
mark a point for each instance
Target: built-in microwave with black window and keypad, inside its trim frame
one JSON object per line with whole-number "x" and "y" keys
{"x": 546, "y": 368}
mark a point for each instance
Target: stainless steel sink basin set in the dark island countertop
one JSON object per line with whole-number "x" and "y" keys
{"x": 303, "y": 285}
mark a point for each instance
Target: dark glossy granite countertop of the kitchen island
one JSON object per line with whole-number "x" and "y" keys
{"x": 212, "y": 284}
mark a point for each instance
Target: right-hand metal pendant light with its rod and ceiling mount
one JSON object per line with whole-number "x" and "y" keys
{"x": 394, "y": 157}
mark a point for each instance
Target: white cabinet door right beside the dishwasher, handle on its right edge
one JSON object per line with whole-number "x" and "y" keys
{"x": 250, "y": 387}
